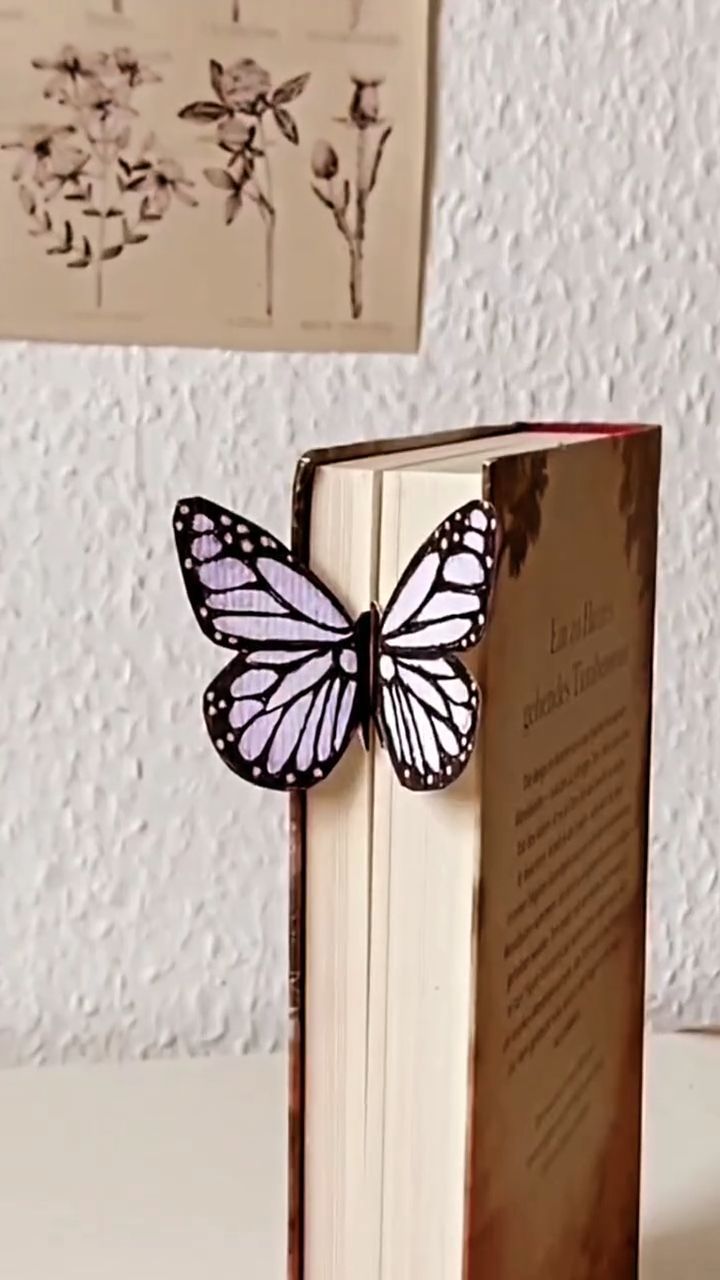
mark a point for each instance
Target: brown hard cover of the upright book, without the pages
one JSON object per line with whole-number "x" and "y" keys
{"x": 555, "y": 1073}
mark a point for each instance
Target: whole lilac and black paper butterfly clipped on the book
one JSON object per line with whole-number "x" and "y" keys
{"x": 307, "y": 678}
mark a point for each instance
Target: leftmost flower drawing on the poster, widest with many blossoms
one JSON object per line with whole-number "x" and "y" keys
{"x": 86, "y": 188}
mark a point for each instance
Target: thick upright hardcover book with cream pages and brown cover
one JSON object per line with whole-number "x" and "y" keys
{"x": 468, "y": 967}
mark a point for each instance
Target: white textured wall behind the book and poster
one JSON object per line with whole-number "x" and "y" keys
{"x": 573, "y": 275}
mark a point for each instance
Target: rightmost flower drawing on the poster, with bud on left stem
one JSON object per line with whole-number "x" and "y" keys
{"x": 348, "y": 199}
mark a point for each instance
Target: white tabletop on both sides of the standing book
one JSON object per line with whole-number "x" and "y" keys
{"x": 176, "y": 1171}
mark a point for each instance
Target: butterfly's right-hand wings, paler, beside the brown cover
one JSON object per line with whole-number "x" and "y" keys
{"x": 427, "y": 702}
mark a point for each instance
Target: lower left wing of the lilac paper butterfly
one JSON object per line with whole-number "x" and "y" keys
{"x": 236, "y": 703}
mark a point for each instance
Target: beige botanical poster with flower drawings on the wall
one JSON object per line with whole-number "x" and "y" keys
{"x": 227, "y": 173}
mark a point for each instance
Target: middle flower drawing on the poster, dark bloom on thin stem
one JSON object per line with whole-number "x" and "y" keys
{"x": 245, "y": 100}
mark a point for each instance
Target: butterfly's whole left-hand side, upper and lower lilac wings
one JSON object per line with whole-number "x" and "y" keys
{"x": 282, "y": 712}
